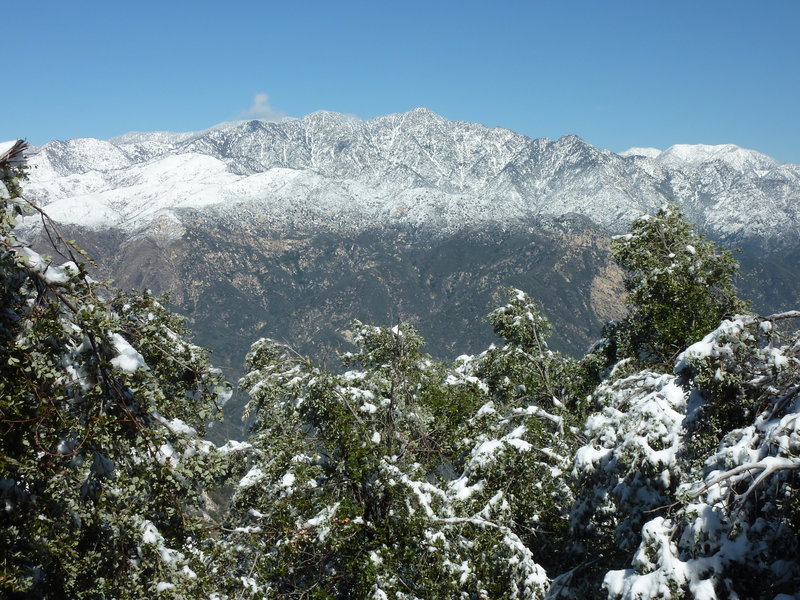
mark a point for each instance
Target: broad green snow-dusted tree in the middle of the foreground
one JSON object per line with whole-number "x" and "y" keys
{"x": 352, "y": 494}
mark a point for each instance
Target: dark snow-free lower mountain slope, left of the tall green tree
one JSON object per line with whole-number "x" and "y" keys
{"x": 305, "y": 288}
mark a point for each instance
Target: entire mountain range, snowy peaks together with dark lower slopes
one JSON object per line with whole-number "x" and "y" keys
{"x": 290, "y": 230}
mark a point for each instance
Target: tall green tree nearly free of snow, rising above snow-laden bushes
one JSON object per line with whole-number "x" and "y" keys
{"x": 680, "y": 286}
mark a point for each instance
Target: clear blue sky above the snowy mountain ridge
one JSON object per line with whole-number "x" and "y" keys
{"x": 618, "y": 74}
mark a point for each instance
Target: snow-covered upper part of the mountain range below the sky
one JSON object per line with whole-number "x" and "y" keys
{"x": 416, "y": 169}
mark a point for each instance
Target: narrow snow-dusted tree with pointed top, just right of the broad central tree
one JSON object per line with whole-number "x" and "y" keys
{"x": 521, "y": 440}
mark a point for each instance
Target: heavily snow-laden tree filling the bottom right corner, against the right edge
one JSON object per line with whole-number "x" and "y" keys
{"x": 734, "y": 528}
